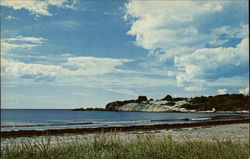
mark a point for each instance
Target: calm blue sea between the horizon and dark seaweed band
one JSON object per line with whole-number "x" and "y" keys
{"x": 40, "y": 119}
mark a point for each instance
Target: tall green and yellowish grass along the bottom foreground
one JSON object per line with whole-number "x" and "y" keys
{"x": 113, "y": 147}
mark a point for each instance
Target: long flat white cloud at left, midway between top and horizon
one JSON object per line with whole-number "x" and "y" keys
{"x": 74, "y": 67}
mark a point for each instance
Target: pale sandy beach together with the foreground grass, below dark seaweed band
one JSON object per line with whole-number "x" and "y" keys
{"x": 210, "y": 141}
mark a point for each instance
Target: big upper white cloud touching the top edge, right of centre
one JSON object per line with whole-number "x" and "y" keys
{"x": 168, "y": 24}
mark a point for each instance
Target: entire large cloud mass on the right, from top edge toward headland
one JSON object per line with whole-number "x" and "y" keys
{"x": 180, "y": 34}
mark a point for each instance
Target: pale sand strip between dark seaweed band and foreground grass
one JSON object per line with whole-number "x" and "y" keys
{"x": 233, "y": 132}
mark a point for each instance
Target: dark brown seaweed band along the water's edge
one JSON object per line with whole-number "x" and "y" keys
{"x": 51, "y": 132}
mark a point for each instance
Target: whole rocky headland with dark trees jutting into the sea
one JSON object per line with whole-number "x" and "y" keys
{"x": 226, "y": 103}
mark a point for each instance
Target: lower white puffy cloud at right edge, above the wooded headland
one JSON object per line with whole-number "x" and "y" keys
{"x": 195, "y": 65}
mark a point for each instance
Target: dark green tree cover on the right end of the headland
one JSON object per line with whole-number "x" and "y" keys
{"x": 226, "y": 102}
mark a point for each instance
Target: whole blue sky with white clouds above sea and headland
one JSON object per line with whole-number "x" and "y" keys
{"x": 74, "y": 53}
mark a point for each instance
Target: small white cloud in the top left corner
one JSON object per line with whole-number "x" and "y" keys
{"x": 38, "y": 7}
